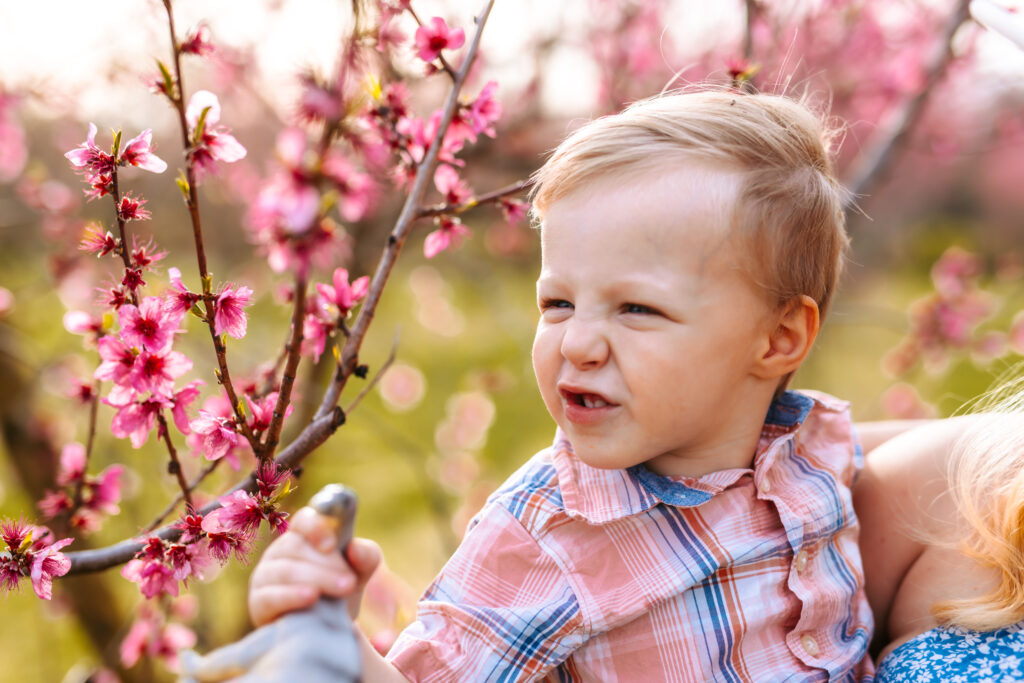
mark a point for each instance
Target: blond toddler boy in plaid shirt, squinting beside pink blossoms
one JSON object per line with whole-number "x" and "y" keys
{"x": 693, "y": 521}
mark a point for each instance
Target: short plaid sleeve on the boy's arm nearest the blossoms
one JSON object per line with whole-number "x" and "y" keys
{"x": 500, "y": 611}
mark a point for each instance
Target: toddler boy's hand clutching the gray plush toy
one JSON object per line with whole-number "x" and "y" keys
{"x": 304, "y": 565}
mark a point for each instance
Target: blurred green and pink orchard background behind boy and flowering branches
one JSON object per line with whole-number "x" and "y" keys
{"x": 458, "y": 411}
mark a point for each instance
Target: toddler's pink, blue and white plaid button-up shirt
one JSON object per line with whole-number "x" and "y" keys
{"x": 576, "y": 574}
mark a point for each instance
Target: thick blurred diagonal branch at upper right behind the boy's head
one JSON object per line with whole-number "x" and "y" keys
{"x": 872, "y": 165}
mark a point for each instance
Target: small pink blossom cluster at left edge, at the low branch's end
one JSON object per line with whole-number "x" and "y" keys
{"x": 33, "y": 552}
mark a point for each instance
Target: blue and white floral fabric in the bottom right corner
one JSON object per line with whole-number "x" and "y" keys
{"x": 958, "y": 656}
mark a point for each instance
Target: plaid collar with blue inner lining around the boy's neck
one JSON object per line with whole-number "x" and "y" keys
{"x": 600, "y": 496}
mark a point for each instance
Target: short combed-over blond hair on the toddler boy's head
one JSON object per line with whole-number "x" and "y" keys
{"x": 790, "y": 209}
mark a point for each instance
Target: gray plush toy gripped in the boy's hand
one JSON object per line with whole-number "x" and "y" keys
{"x": 317, "y": 646}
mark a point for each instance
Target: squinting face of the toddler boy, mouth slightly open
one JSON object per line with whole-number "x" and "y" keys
{"x": 650, "y": 329}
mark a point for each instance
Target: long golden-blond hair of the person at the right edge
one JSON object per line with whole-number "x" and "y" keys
{"x": 987, "y": 476}
